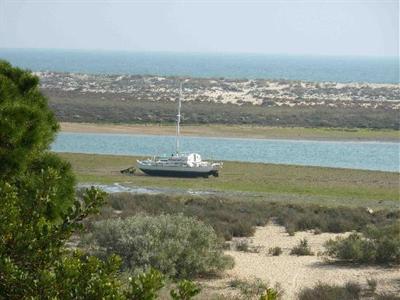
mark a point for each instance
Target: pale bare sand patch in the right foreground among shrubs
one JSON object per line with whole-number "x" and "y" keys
{"x": 294, "y": 273}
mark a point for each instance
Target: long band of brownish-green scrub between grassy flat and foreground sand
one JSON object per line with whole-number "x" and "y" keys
{"x": 238, "y": 218}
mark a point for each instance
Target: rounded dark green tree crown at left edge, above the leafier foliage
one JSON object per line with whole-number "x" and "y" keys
{"x": 27, "y": 126}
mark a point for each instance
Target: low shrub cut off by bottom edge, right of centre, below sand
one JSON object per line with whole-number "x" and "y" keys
{"x": 331, "y": 292}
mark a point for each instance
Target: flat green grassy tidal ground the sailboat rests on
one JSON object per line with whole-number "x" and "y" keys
{"x": 277, "y": 182}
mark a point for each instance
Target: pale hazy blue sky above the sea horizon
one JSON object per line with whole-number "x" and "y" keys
{"x": 324, "y": 27}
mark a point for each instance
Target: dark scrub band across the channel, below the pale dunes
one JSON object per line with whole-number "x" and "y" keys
{"x": 89, "y": 108}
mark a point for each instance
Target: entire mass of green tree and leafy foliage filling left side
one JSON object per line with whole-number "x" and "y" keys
{"x": 39, "y": 211}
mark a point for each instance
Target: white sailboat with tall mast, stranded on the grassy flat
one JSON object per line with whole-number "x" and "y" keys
{"x": 179, "y": 164}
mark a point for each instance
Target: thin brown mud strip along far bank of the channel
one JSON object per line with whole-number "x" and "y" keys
{"x": 239, "y": 131}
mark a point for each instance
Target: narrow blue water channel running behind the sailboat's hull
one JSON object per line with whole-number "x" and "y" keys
{"x": 355, "y": 155}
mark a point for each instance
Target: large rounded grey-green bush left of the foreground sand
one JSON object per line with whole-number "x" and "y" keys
{"x": 176, "y": 245}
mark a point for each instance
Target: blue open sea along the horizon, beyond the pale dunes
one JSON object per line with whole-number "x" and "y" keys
{"x": 309, "y": 68}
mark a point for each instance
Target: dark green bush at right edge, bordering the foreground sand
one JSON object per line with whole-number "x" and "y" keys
{"x": 375, "y": 245}
